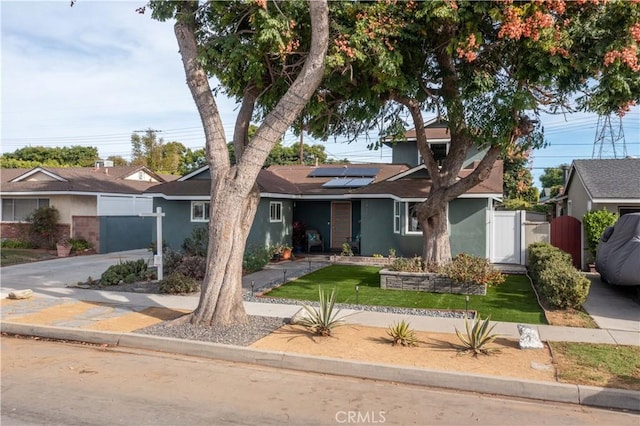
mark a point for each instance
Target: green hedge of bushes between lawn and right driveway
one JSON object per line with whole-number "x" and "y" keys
{"x": 552, "y": 270}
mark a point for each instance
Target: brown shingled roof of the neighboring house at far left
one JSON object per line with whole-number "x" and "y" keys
{"x": 75, "y": 179}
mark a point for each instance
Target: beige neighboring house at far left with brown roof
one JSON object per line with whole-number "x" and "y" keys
{"x": 100, "y": 204}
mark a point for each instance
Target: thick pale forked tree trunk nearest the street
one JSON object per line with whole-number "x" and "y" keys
{"x": 234, "y": 193}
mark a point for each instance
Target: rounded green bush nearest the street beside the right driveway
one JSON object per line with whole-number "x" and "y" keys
{"x": 563, "y": 285}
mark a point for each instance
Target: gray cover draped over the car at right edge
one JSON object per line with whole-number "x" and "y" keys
{"x": 618, "y": 256}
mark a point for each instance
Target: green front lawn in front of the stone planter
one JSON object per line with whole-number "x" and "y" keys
{"x": 513, "y": 301}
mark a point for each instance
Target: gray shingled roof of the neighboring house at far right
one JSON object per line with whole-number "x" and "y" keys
{"x": 612, "y": 179}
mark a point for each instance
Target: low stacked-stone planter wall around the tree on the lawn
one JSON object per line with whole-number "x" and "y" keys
{"x": 427, "y": 281}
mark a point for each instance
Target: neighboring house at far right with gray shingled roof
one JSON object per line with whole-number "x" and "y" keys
{"x": 611, "y": 184}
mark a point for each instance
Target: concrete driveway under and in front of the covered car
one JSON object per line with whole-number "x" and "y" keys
{"x": 612, "y": 307}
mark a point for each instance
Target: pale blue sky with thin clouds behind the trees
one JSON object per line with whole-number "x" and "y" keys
{"x": 94, "y": 73}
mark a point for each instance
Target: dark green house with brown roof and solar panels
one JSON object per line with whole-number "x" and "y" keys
{"x": 372, "y": 205}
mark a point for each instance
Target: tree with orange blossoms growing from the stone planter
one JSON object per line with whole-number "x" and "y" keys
{"x": 487, "y": 68}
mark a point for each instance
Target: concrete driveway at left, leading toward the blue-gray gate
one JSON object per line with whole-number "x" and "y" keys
{"x": 58, "y": 273}
